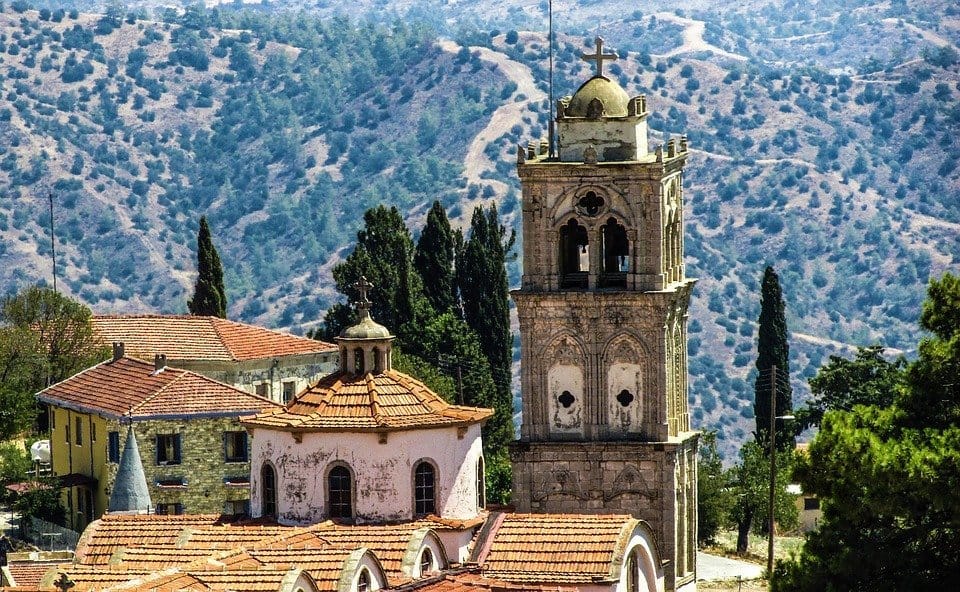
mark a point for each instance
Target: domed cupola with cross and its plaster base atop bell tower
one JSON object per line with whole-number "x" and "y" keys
{"x": 601, "y": 122}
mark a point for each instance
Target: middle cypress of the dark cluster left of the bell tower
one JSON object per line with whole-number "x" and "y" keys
{"x": 434, "y": 260}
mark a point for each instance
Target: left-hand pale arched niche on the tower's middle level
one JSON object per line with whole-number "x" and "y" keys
{"x": 565, "y": 386}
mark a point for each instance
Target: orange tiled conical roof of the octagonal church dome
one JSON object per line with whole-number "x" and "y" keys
{"x": 382, "y": 402}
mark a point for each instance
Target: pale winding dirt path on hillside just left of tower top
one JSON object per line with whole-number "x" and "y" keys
{"x": 475, "y": 161}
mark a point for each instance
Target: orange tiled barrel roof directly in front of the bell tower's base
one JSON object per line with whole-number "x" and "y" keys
{"x": 557, "y": 548}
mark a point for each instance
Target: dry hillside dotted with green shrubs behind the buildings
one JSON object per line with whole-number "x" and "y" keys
{"x": 818, "y": 146}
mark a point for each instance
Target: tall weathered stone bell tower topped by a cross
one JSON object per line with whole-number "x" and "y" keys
{"x": 603, "y": 324}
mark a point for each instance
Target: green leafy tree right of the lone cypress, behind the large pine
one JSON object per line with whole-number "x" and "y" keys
{"x": 868, "y": 379}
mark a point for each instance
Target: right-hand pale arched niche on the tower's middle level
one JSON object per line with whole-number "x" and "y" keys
{"x": 626, "y": 389}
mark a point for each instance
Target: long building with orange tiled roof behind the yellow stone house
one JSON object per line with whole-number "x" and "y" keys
{"x": 269, "y": 363}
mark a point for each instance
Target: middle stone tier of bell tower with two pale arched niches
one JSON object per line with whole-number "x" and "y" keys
{"x": 582, "y": 343}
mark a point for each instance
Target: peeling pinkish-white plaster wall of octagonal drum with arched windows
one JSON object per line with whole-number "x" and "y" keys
{"x": 383, "y": 473}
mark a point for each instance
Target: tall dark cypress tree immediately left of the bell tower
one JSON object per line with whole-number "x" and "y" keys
{"x": 482, "y": 277}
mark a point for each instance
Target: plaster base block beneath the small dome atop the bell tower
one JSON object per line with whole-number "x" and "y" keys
{"x": 575, "y": 136}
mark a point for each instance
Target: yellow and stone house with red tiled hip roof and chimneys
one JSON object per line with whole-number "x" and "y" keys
{"x": 193, "y": 451}
